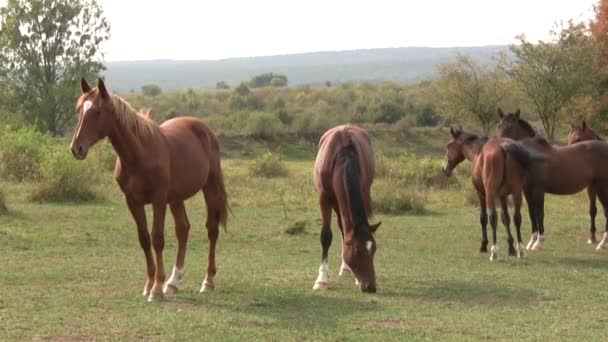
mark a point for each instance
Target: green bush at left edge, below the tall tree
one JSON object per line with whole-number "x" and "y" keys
{"x": 20, "y": 153}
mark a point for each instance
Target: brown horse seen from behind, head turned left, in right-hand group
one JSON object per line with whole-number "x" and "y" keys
{"x": 499, "y": 167}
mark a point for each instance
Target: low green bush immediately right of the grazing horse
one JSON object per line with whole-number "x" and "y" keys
{"x": 391, "y": 198}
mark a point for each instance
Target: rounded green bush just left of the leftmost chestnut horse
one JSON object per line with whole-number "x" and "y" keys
{"x": 65, "y": 179}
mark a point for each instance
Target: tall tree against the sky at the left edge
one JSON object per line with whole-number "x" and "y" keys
{"x": 45, "y": 47}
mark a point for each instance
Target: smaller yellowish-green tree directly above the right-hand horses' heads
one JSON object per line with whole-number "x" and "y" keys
{"x": 472, "y": 91}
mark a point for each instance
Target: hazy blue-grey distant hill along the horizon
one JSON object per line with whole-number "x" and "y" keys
{"x": 402, "y": 65}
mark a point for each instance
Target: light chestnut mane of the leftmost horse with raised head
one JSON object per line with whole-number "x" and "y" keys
{"x": 139, "y": 123}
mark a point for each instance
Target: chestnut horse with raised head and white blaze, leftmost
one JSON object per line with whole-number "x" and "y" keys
{"x": 161, "y": 165}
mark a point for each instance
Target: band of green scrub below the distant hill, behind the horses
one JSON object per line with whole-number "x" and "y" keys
{"x": 303, "y": 111}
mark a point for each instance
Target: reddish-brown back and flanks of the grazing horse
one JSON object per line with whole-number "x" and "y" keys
{"x": 331, "y": 143}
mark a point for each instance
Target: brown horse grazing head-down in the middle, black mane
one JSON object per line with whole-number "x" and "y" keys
{"x": 343, "y": 174}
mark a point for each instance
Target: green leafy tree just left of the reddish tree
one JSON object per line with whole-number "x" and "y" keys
{"x": 554, "y": 73}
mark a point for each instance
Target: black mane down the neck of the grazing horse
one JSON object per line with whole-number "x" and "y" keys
{"x": 349, "y": 158}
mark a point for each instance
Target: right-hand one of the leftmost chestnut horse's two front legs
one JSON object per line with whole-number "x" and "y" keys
{"x": 158, "y": 242}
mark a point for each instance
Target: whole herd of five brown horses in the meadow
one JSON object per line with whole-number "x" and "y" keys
{"x": 169, "y": 163}
